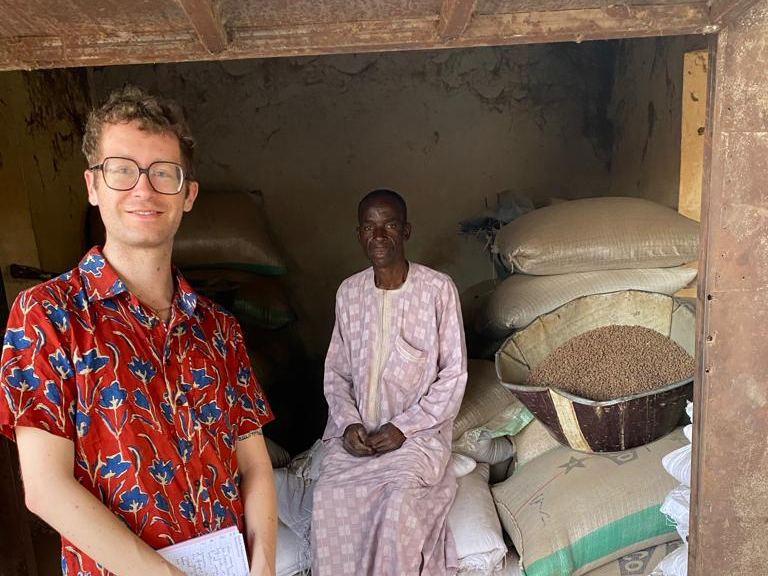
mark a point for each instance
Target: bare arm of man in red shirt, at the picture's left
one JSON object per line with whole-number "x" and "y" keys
{"x": 53, "y": 493}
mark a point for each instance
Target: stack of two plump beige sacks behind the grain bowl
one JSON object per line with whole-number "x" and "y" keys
{"x": 584, "y": 247}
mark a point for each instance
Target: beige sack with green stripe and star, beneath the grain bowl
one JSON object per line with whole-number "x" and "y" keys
{"x": 569, "y": 512}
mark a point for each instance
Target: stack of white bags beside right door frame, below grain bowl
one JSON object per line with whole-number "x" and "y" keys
{"x": 678, "y": 503}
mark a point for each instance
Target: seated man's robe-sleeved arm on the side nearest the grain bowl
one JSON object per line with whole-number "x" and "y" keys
{"x": 442, "y": 400}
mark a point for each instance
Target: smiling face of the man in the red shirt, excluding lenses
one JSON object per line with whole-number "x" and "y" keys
{"x": 139, "y": 217}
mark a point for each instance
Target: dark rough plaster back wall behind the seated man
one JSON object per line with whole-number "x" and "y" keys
{"x": 448, "y": 129}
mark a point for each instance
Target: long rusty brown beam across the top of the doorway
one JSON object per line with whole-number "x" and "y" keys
{"x": 370, "y": 36}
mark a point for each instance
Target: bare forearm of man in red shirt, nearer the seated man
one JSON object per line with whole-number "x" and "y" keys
{"x": 257, "y": 490}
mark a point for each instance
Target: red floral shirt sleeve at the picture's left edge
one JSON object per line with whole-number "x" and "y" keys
{"x": 37, "y": 379}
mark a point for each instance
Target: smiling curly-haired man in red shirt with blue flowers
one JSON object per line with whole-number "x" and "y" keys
{"x": 131, "y": 399}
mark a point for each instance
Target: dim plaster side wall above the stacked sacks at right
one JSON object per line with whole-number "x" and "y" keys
{"x": 646, "y": 109}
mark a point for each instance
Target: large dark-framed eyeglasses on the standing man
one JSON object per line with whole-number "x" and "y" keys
{"x": 123, "y": 174}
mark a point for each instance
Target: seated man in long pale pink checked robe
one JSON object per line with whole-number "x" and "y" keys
{"x": 394, "y": 380}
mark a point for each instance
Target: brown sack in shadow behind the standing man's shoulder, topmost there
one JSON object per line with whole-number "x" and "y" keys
{"x": 227, "y": 230}
